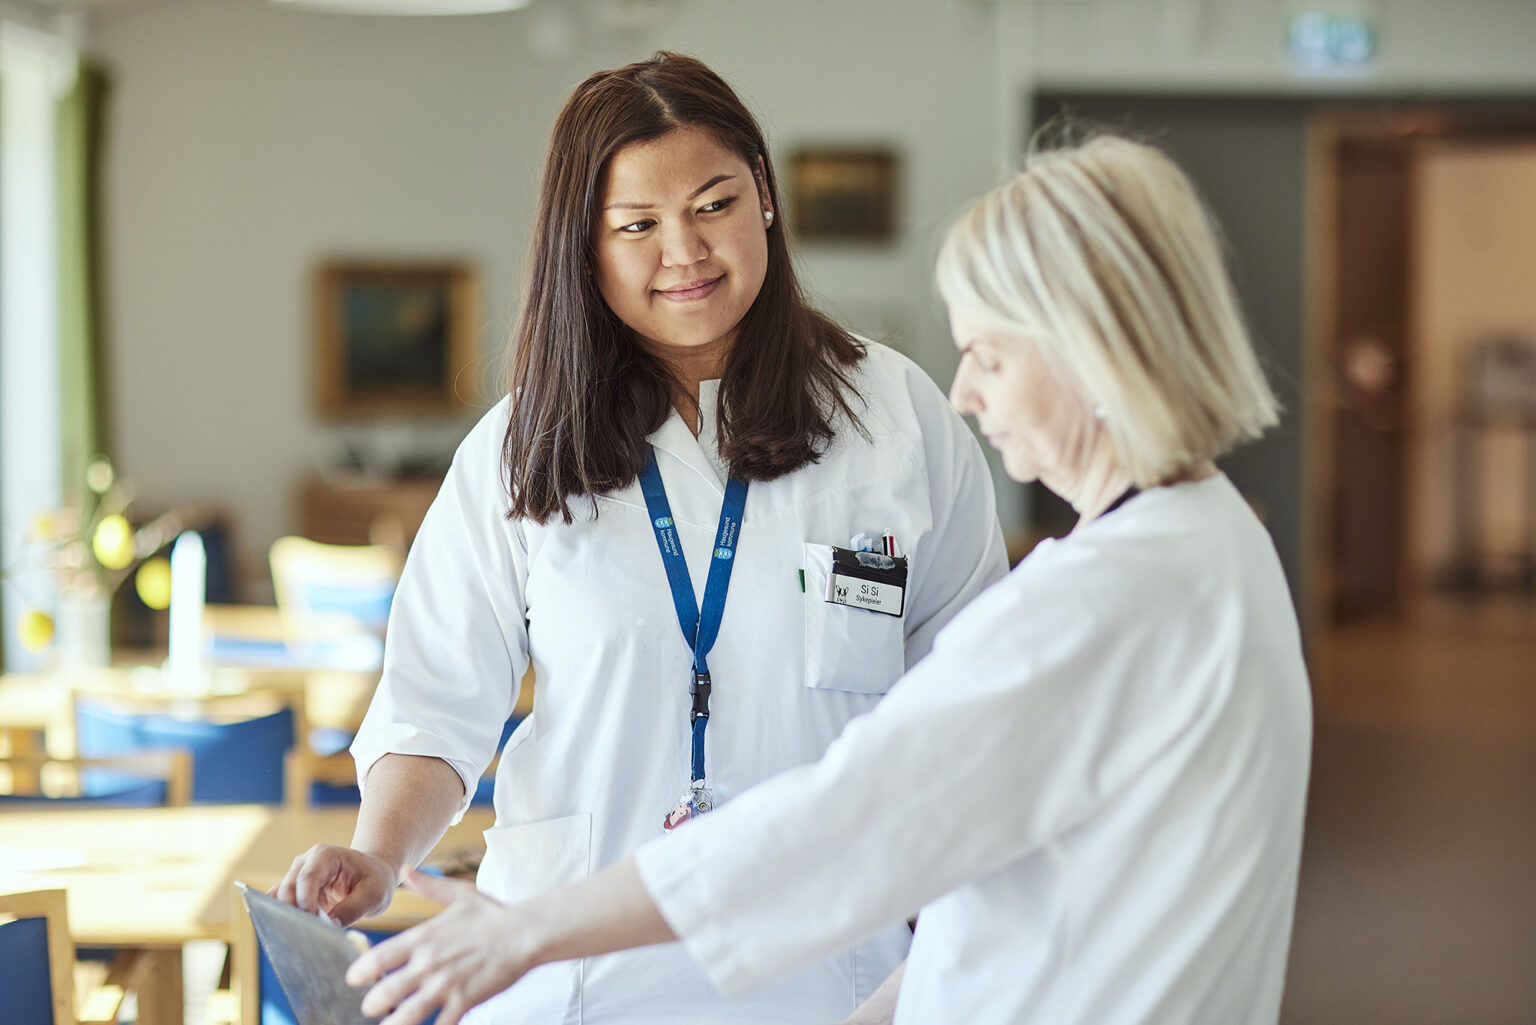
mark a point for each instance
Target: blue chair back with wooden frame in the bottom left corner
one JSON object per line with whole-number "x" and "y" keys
{"x": 38, "y": 981}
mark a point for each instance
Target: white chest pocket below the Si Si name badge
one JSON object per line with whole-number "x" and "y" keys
{"x": 846, "y": 648}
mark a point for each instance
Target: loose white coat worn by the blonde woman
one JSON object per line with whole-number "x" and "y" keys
{"x": 1093, "y": 789}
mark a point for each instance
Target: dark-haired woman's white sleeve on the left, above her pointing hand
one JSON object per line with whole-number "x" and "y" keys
{"x": 457, "y": 643}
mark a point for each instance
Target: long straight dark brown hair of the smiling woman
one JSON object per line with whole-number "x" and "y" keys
{"x": 586, "y": 396}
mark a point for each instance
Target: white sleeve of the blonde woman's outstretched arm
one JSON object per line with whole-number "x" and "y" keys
{"x": 1010, "y": 734}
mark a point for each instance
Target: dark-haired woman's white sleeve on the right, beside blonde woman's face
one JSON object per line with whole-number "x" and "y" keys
{"x": 965, "y": 552}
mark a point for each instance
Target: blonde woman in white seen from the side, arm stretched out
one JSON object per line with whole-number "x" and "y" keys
{"x": 1093, "y": 789}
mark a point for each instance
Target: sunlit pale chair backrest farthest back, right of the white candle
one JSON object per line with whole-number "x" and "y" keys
{"x": 329, "y": 591}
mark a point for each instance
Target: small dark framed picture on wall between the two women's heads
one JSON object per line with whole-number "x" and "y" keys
{"x": 842, "y": 194}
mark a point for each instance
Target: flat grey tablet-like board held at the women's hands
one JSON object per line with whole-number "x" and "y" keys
{"x": 311, "y": 958}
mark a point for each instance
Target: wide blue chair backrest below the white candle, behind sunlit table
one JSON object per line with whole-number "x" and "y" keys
{"x": 234, "y": 760}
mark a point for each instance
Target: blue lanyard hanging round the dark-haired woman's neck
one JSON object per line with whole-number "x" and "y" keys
{"x": 700, "y": 626}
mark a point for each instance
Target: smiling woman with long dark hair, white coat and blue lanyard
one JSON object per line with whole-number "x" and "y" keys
{"x": 681, "y": 425}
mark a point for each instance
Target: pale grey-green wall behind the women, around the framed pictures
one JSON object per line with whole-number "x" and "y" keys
{"x": 251, "y": 142}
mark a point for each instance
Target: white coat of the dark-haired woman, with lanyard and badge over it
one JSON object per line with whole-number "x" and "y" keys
{"x": 591, "y": 775}
